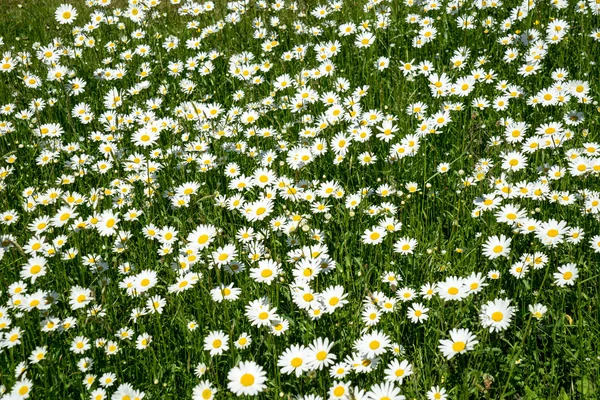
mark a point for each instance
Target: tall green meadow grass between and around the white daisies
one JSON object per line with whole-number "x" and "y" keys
{"x": 555, "y": 357}
